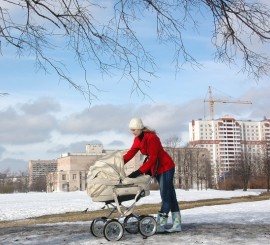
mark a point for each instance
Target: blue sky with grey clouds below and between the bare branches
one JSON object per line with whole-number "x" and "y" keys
{"x": 43, "y": 117}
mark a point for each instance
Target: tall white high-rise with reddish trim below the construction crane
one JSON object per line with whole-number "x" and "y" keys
{"x": 226, "y": 138}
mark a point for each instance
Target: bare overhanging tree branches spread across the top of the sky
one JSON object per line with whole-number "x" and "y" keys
{"x": 35, "y": 27}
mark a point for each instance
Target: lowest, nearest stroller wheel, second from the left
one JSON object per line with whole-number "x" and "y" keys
{"x": 113, "y": 230}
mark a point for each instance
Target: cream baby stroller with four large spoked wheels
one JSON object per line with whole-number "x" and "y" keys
{"x": 107, "y": 182}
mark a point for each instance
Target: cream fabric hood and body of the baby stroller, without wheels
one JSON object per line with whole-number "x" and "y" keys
{"x": 107, "y": 179}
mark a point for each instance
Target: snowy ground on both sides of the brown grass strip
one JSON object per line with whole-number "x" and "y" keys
{"x": 239, "y": 223}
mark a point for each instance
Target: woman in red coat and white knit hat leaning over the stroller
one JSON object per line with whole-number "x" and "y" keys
{"x": 160, "y": 164}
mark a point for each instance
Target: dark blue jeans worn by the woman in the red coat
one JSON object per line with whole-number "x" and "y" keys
{"x": 167, "y": 192}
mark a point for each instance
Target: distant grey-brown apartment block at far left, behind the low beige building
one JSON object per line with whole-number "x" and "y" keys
{"x": 38, "y": 169}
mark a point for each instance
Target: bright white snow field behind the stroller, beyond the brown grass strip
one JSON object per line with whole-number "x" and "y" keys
{"x": 33, "y": 204}
